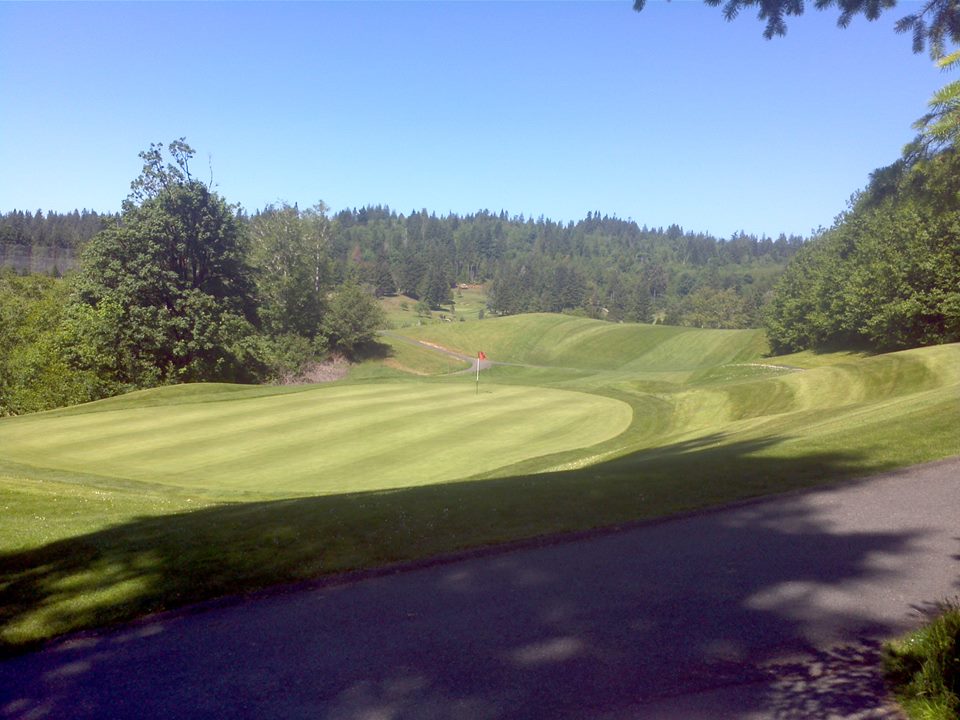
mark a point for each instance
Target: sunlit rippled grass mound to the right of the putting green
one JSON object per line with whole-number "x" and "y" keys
{"x": 908, "y": 398}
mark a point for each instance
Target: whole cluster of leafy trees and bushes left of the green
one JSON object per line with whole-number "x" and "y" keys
{"x": 169, "y": 292}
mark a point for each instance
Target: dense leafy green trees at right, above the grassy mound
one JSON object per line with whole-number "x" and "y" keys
{"x": 887, "y": 276}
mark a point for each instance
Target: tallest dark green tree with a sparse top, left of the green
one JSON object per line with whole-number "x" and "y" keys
{"x": 168, "y": 288}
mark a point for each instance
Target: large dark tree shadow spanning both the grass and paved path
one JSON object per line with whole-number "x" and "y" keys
{"x": 569, "y": 630}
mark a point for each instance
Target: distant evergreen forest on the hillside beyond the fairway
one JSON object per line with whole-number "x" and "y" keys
{"x": 600, "y": 266}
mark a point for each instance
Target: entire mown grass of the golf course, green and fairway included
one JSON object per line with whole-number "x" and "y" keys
{"x": 179, "y": 494}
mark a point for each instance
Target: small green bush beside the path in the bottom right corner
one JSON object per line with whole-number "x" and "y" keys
{"x": 924, "y": 668}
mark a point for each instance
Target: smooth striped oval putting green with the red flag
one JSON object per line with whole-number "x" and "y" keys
{"x": 331, "y": 439}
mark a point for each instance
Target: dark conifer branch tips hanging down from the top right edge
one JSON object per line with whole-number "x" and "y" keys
{"x": 936, "y": 23}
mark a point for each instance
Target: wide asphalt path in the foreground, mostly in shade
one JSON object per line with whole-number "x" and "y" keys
{"x": 766, "y": 610}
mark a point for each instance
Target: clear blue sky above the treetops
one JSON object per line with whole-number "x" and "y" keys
{"x": 668, "y": 116}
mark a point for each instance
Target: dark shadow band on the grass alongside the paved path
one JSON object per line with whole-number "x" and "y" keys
{"x": 159, "y": 562}
